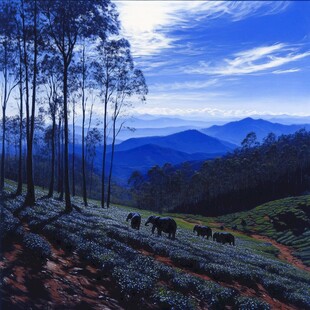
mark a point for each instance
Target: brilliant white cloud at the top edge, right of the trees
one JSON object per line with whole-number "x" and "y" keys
{"x": 147, "y": 24}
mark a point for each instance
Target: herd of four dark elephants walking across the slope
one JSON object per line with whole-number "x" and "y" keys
{"x": 169, "y": 226}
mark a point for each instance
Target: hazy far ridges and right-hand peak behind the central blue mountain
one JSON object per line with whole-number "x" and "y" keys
{"x": 149, "y": 126}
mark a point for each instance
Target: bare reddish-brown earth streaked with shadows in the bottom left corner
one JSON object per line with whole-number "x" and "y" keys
{"x": 62, "y": 282}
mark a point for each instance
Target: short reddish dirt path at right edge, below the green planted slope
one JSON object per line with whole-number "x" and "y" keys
{"x": 286, "y": 253}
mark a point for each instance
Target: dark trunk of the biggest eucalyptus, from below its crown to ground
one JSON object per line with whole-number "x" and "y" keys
{"x": 66, "y": 131}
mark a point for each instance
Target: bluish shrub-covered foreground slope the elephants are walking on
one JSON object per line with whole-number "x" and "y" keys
{"x": 104, "y": 238}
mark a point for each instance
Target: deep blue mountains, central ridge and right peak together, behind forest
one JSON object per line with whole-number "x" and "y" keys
{"x": 192, "y": 146}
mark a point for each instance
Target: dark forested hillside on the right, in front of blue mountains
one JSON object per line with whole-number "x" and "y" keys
{"x": 252, "y": 174}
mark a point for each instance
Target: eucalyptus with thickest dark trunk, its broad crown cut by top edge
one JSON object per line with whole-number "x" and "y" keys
{"x": 67, "y": 23}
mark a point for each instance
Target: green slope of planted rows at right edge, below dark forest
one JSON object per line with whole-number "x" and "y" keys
{"x": 286, "y": 220}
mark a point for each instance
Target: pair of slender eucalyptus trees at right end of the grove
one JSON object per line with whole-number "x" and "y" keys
{"x": 118, "y": 80}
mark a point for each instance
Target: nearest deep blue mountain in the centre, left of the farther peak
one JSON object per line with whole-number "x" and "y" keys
{"x": 143, "y": 153}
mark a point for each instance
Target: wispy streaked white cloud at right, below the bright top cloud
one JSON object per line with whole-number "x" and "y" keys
{"x": 252, "y": 61}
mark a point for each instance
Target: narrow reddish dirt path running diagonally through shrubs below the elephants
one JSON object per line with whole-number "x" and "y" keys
{"x": 258, "y": 292}
